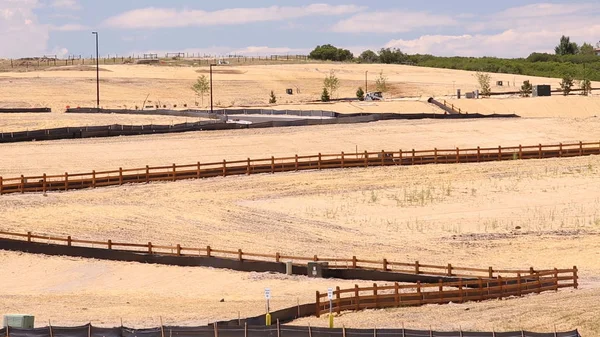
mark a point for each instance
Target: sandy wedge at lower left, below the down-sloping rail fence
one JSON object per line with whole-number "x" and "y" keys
{"x": 69, "y": 291}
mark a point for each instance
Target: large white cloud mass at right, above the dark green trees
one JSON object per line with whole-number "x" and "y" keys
{"x": 515, "y": 32}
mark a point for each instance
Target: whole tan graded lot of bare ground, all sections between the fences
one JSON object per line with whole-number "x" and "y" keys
{"x": 511, "y": 215}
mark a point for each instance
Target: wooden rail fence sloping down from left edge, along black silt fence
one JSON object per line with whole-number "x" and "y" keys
{"x": 415, "y": 268}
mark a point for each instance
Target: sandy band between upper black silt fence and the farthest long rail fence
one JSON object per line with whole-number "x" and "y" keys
{"x": 86, "y": 155}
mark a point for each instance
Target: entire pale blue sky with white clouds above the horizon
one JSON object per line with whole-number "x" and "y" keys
{"x": 506, "y": 28}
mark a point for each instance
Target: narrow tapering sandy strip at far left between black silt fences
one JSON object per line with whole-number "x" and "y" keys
{"x": 10, "y": 122}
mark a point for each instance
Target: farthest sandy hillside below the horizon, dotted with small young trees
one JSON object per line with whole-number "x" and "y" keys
{"x": 233, "y": 86}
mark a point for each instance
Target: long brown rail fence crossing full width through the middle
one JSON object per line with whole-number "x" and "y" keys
{"x": 94, "y": 179}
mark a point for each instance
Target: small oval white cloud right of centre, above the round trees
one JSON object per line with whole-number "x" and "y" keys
{"x": 392, "y": 22}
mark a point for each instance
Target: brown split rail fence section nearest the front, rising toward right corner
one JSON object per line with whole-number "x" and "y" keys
{"x": 403, "y": 295}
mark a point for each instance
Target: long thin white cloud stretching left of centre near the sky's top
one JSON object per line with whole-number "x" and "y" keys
{"x": 169, "y": 17}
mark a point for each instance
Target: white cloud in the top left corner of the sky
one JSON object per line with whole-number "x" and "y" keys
{"x": 20, "y": 32}
